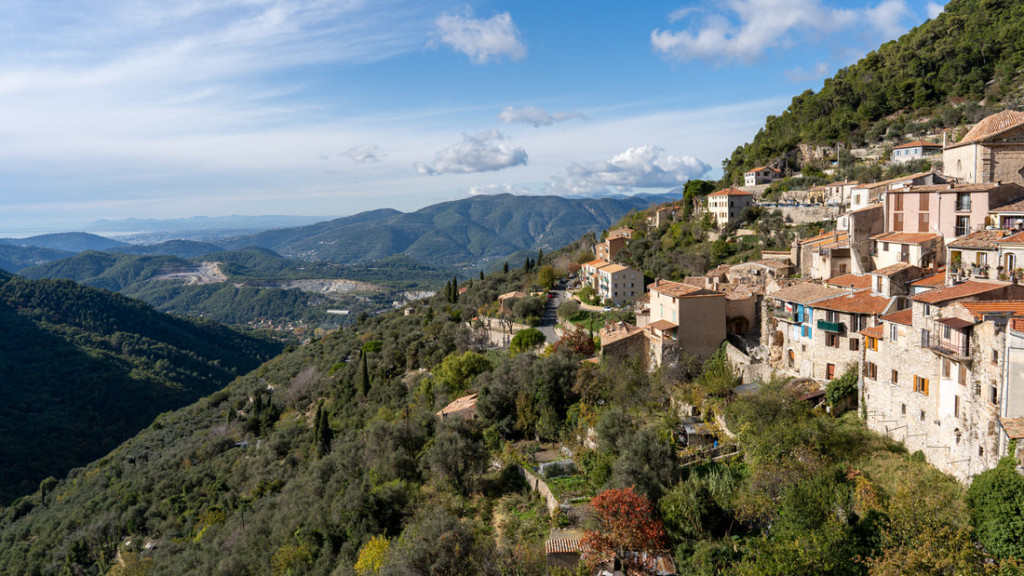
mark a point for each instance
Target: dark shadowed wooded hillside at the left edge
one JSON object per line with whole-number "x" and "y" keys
{"x": 81, "y": 371}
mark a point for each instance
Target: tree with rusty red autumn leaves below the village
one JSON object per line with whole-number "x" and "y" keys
{"x": 628, "y": 524}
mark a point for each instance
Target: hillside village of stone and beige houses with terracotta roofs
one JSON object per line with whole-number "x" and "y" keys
{"x": 917, "y": 291}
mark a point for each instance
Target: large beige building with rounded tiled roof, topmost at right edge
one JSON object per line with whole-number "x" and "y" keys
{"x": 992, "y": 152}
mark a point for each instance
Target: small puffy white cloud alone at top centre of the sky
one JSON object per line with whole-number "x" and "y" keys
{"x": 483, "y": 40}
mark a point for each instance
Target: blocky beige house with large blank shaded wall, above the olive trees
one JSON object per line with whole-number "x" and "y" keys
{"x": 702, "y": 312}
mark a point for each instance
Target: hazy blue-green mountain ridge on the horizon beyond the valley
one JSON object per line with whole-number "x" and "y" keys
{"x": 472, "y": 233}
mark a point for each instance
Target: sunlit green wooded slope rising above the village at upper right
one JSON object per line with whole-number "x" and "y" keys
{"x": 950, "y": 71}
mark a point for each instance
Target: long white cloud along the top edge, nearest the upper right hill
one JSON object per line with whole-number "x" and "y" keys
{"x": 745, "y": 30}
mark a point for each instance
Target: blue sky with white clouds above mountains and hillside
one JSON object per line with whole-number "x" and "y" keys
{"x": 183, "y": 108}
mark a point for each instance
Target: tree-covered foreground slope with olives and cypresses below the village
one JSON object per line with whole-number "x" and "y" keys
{"x": 330, "y": 460}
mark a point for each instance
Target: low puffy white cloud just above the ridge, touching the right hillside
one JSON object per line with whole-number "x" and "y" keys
{"x": 643, "y": 167}
